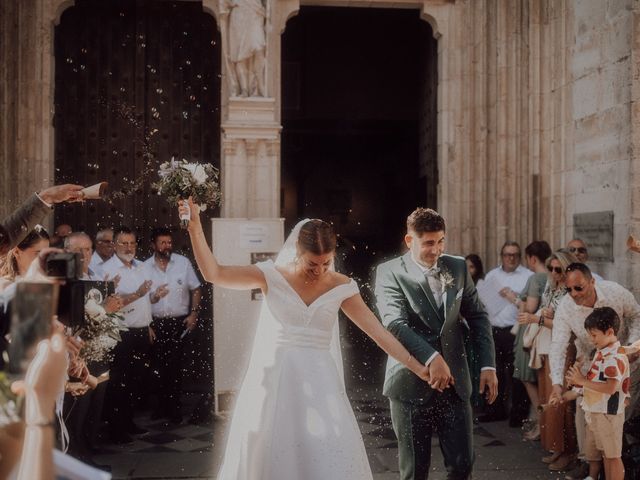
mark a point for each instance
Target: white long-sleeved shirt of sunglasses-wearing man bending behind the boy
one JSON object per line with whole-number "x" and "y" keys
{"x": 570, "y": 317}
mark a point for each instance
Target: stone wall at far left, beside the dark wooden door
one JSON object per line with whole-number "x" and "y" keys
{"x": 26, "y": 98}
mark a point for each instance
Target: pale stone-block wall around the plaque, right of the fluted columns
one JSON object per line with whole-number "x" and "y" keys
{"x": 601, "y": 74}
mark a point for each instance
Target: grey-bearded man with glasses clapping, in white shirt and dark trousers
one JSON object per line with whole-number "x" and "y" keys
{"x": 128, "y": 369}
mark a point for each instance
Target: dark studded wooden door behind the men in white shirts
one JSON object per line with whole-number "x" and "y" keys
{"x": 136, "y": 83}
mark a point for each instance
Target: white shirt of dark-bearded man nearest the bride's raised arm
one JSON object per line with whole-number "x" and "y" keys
{"x": 180, "y": 278}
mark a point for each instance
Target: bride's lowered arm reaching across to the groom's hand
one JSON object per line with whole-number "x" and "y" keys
{"x": 355, "y": 308}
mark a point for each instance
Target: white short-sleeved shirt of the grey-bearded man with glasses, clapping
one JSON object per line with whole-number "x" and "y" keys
{"x": 138, "y": 313}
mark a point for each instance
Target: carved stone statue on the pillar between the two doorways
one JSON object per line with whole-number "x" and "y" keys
{"x": 244, "y": 45}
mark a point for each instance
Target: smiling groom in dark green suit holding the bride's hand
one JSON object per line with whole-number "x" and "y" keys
{"x": 429, "y": 302}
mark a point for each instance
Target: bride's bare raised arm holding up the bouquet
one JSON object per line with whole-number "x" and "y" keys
{"x": 227, "y": 276}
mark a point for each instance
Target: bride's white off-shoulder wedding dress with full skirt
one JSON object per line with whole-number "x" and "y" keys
{"x": 292, "y": 419}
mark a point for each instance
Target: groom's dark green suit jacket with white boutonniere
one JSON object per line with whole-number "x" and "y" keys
{"x": 409, "y": 311}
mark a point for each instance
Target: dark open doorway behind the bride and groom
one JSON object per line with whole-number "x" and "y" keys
{"x": 359, "y": 135}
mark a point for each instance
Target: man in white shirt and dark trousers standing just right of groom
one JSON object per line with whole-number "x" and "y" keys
{"x": 512, "y": 276}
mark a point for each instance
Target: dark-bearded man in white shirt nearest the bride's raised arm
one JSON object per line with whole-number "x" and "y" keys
{"x": 173, "y": 315}
